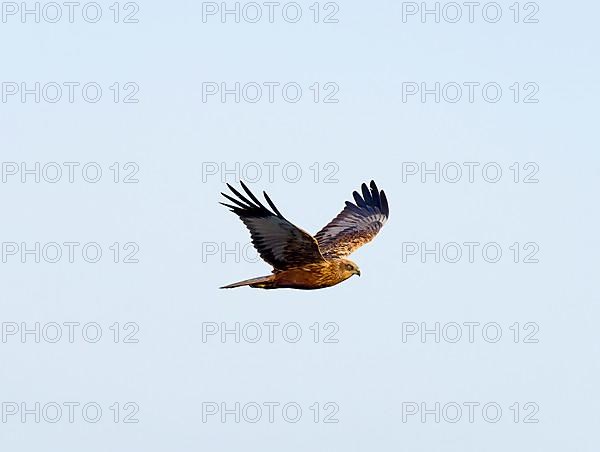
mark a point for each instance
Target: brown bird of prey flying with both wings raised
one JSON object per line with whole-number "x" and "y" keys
{"x": 299, "y": 260}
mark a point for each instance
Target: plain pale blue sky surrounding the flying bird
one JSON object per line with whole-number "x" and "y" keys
{"x": 171, "y": 216}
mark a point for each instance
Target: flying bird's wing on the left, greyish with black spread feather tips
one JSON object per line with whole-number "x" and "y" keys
{"x": 278, "y": 241}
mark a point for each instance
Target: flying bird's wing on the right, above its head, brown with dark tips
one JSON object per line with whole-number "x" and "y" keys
{"x": 356, "y": 225}
